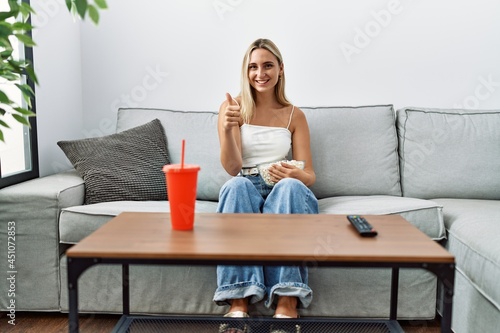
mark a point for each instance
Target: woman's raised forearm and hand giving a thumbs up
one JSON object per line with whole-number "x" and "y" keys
{"x": 229, "y": 136}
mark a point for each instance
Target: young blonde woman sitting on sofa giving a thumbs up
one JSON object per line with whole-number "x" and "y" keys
{"x": 260, "y": 126}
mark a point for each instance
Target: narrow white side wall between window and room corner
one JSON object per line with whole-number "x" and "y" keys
{"x": 59, "y": 93}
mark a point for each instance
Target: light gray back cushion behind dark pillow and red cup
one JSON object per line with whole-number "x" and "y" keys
{"x": 199, "y": 129}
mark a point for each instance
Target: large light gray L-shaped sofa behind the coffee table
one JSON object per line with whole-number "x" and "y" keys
{"x": 439, "y": 169}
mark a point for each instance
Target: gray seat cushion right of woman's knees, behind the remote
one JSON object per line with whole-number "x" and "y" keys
{"x": 426, "y": 215}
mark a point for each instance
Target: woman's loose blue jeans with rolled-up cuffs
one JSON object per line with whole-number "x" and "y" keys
{"x": 250, "y": 194}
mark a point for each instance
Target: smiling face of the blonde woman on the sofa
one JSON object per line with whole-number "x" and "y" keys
{"x": 263, "y": 70}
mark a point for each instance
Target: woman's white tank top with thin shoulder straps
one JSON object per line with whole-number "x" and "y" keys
{"x": 263, "y": 144}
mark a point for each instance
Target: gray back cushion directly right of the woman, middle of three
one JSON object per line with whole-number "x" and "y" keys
{"x": 354, "y": 150}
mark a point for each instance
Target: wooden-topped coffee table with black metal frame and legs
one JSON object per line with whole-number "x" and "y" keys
{"x": 249, "y": 239}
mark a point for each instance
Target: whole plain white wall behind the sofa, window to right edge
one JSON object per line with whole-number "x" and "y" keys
{"x": 185, "y": 54}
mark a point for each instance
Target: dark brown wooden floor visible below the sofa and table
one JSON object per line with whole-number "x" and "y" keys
{"x": 36, "y": 322}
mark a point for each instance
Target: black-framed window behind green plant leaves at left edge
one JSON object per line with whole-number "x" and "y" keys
{"x": 18, "y": 152}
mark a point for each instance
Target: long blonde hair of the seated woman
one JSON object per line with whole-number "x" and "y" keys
{"x": 247, "y": 93}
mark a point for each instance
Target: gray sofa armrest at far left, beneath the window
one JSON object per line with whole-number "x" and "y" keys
{"x": 33, "y": 208}
